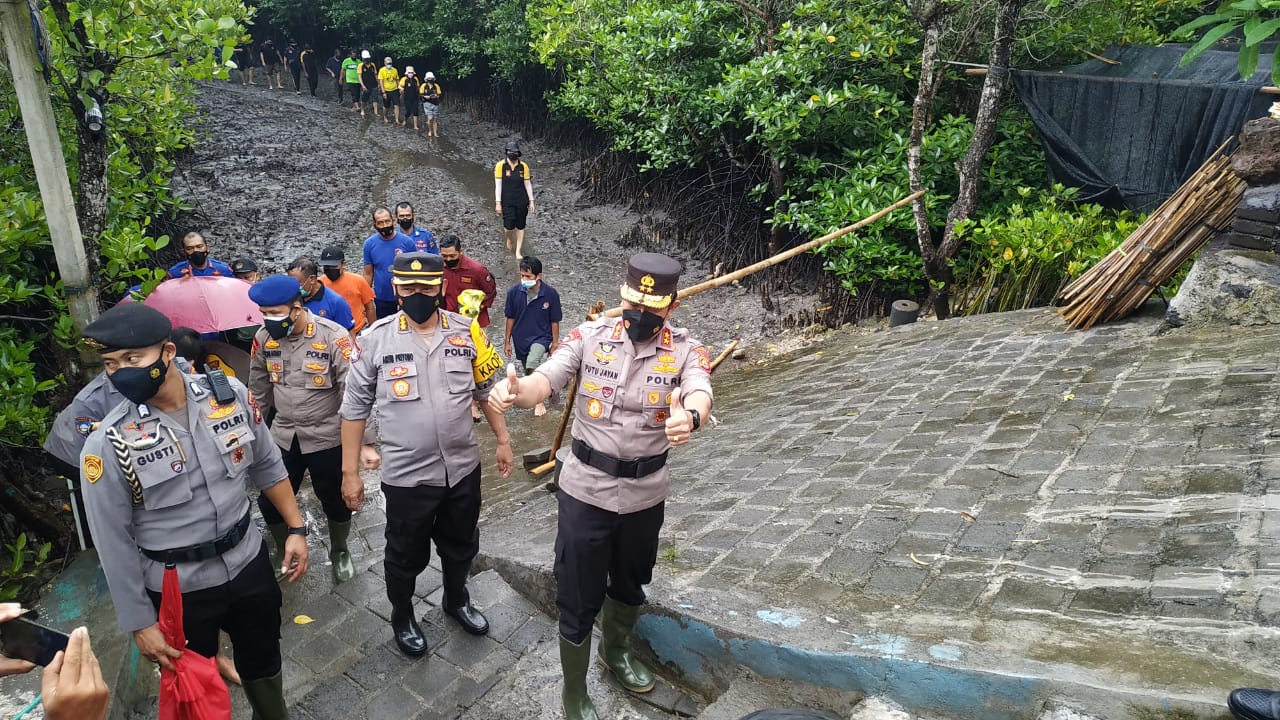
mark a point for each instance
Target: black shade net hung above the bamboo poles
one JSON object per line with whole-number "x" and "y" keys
{"x": 1130, "y": 135}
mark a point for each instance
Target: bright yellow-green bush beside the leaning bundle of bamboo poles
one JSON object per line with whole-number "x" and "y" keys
{"x": 1027, "y": 257}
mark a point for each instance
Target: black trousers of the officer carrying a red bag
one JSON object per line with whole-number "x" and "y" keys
{"x": 248, "y": 609}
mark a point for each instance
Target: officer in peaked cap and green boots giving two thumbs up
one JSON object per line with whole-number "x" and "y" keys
{"x": 644, "y": 388}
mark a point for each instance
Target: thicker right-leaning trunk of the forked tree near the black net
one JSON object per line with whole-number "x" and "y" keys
{"x": 1008, "y": 13}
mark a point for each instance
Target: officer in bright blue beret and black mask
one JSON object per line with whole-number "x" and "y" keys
{"x": 299, "y": 368}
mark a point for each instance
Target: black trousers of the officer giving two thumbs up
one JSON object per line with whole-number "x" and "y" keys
{"x": 600, "y": 553}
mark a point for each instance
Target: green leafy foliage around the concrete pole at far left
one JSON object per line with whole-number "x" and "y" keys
{"x": 141, "y": 60}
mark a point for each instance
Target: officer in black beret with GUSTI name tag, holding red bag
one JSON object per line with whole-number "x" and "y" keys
{"x": 164, "y": 485}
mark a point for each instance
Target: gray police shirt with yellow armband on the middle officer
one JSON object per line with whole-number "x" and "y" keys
{"x": 423, "y": 388}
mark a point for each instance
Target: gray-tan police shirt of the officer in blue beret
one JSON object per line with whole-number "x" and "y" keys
{"x": 303, "y": 379}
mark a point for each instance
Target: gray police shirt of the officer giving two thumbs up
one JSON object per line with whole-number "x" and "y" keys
{"x": 624, "y": 404}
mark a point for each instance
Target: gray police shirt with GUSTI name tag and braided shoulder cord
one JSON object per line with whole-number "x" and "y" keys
{"x": 193, "y": 493}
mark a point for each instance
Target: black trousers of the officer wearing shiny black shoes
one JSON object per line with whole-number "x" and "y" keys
{"x": 420, "y": 516}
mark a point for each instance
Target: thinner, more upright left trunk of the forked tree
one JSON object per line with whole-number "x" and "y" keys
{"x": 932, "y": 17}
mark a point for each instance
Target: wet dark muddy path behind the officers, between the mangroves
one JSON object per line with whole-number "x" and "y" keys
{"x": 278, "y": 176}
